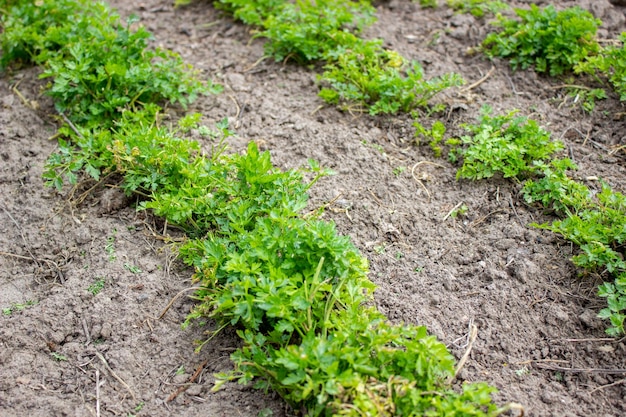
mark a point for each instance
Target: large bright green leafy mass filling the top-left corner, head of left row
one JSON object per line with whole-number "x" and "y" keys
{"x": 99, "y": 67}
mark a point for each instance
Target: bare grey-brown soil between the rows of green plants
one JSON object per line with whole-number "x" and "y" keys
{"x": 539, "y": 341}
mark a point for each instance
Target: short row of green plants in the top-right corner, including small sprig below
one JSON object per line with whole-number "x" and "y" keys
{"x": 560, "y": 43}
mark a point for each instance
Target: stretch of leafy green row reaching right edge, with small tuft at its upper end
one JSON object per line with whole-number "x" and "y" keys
{"x": 516, "y": 147}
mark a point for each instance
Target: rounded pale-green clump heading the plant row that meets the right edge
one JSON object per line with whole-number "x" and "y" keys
{"x": 507, "y": 144}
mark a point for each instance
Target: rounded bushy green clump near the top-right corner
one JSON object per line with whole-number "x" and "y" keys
{"x": 551, "y": 41}
